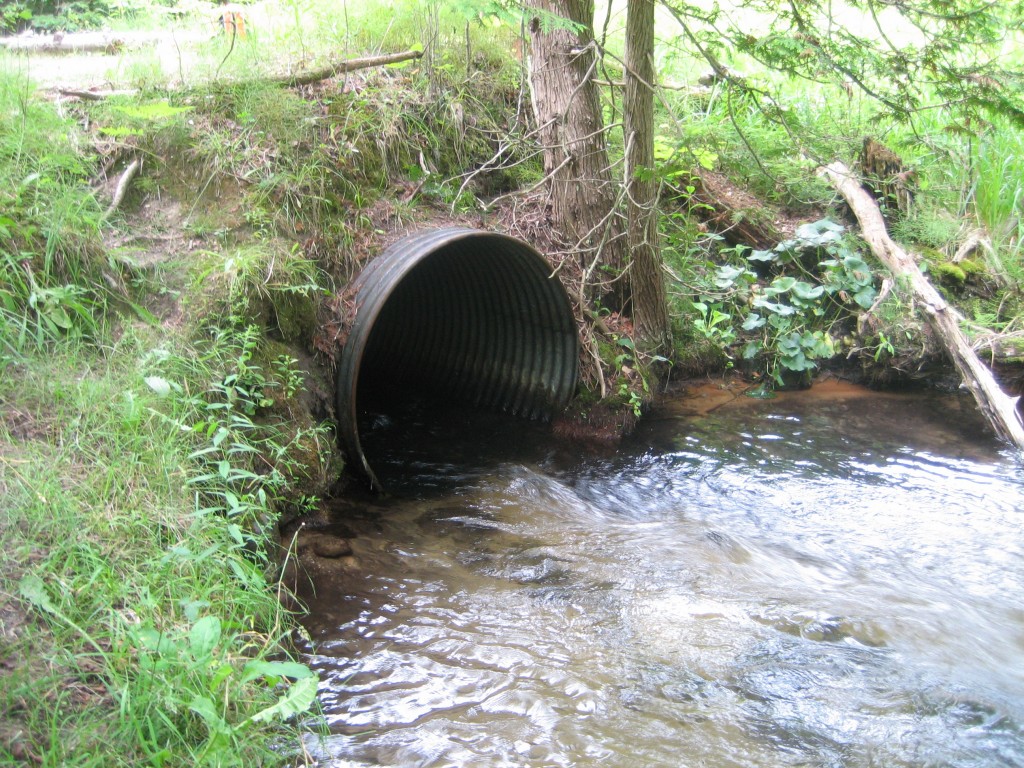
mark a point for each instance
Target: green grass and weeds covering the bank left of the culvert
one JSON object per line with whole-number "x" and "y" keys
{"x": 142, "y": 473}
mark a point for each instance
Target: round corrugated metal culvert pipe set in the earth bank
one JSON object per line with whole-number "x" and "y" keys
{"x": 466, "y": 315}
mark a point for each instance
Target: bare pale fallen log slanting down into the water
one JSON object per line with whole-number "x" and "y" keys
{"x": 999, "y": 408}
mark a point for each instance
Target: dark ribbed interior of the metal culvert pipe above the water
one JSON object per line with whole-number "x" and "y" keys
{"x": 472, "y": 325}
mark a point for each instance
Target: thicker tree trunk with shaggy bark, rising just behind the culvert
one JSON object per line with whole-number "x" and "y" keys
{"x": 571, "y": 127}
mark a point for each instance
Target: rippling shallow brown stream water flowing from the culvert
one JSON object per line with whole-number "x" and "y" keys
{"x": 833, "y": 578}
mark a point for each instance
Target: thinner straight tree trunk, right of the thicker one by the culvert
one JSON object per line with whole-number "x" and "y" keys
{"x": 651, "y": 314}
